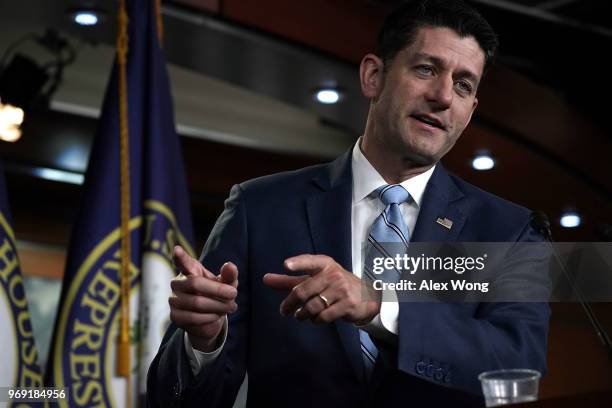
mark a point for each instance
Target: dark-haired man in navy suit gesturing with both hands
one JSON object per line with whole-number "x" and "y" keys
{"x": 300, "y": 334}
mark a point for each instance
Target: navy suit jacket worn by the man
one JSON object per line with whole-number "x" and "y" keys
{"x": 441, "y": 347}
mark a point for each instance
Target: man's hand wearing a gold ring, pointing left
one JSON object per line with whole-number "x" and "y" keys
{"x": 324, "y": 279}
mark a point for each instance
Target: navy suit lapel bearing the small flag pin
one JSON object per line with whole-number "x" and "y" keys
{"x": 442, "y": 199}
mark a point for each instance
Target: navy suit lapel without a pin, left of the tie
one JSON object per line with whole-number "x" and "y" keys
{"x": 329, "y": 217}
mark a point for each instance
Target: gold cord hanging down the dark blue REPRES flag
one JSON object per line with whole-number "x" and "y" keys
{"x": 123, "y": 349}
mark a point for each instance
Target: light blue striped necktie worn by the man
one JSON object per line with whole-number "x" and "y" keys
{"x": 389, "y": 227}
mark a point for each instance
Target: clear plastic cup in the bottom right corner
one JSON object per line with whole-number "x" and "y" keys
{"x": 501, "y": 387}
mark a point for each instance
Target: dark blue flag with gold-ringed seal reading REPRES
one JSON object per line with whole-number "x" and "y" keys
{"x": 83, "y": 355}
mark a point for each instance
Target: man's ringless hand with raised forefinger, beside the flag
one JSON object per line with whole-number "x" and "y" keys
{"x": 200, "y": 300}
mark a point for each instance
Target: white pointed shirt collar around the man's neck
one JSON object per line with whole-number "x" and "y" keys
{"x": 366, "y": 178}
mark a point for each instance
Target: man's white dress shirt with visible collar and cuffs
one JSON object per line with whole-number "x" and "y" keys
{"x": 365, "y": 207}
